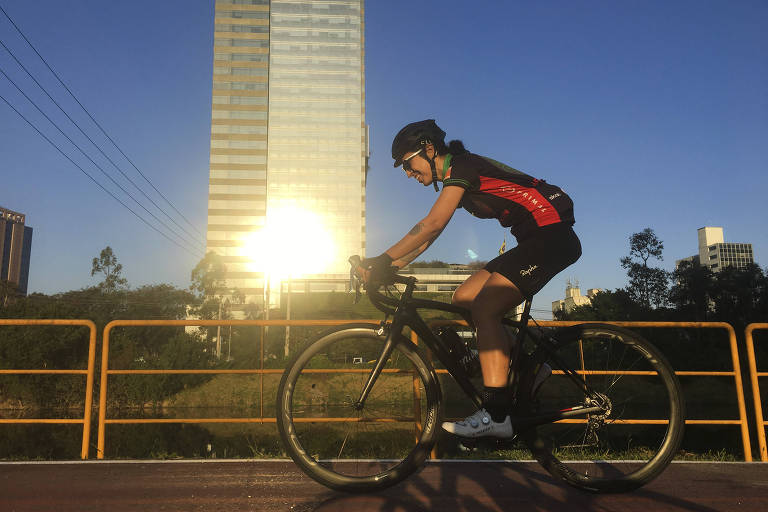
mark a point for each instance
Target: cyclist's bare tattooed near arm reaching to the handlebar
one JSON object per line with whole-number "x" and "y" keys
{"x": 428, "y": 229}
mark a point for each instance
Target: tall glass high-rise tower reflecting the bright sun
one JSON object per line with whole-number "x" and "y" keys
{"x": 288, "y": 140}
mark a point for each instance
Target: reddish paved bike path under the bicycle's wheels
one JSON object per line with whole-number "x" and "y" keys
{"x": 279, "y": 486}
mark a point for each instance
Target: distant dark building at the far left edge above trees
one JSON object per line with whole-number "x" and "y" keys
{"x": 15, "y": 249}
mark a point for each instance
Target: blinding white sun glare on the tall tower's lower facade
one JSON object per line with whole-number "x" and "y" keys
{"x": 294, "y": 243}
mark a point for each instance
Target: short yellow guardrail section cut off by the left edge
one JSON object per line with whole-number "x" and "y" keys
{"x": 88, "y": 372}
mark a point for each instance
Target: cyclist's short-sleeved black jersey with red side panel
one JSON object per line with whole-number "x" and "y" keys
{"x": 519, "y": 201}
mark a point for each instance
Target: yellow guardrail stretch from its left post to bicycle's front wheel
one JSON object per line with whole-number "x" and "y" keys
{"x": 105, "y": 371}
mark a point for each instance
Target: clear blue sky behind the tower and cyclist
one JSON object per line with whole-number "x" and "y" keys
{"x": 649, "y": 114}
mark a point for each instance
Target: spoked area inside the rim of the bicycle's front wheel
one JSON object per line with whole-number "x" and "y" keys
{"x": 340, "y": 434}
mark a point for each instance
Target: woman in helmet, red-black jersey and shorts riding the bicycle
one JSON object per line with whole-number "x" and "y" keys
{"x": 540, "y": 216}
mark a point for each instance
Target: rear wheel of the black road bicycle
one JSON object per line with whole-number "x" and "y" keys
{"x": 640, "y": 426}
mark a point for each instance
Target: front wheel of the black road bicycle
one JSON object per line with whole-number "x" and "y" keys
{"x": 349, "y": 446}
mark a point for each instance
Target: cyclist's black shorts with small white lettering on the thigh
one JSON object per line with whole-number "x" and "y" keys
{"x": 537, "y": 259}
